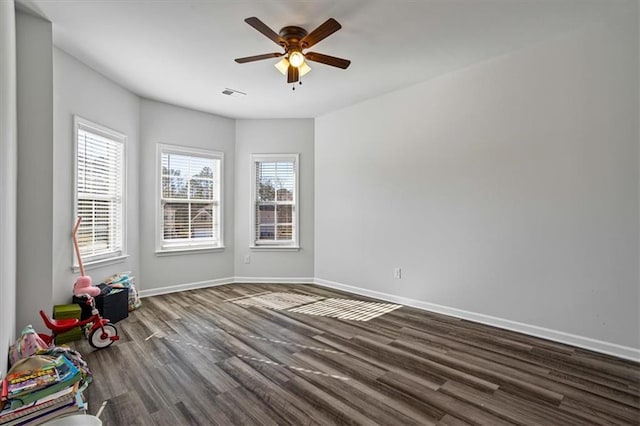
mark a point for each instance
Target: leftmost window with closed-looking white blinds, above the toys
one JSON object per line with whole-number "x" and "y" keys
{"x": 99, "y": 191}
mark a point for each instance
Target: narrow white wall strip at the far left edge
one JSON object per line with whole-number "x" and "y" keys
{"x": 8, "y": 179}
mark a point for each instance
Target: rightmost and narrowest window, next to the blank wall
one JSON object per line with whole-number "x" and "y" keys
{"x": 275, "y": 195}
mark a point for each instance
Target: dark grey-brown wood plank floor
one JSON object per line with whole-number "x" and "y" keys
{"x": 191, "y": 358}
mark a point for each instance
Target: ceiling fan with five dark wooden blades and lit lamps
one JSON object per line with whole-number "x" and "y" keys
{"x": 294, "y": 40}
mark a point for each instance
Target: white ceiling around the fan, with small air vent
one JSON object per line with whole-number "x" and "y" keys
{"x": 182, "y": 52}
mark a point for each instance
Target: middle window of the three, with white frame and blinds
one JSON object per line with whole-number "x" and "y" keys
{"x": 190, "y": 199}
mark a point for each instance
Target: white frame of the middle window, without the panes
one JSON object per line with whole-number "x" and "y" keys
{"x": 164, "y": 248}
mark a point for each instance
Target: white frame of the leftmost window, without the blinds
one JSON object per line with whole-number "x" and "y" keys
{"x": 119, "y": 255}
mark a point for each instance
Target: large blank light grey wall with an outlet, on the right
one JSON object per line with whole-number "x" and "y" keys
{"x": 508, "y": 190}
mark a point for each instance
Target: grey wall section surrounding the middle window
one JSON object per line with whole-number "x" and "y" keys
{"x": 163, "y": 123}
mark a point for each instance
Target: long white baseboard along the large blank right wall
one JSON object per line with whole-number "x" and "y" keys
{"x": 608, "y": 348}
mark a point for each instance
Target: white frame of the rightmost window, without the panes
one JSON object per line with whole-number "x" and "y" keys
{"x": 294, "y": 243}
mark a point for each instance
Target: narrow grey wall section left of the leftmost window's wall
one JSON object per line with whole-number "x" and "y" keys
{"x": 35, "y": 167}
